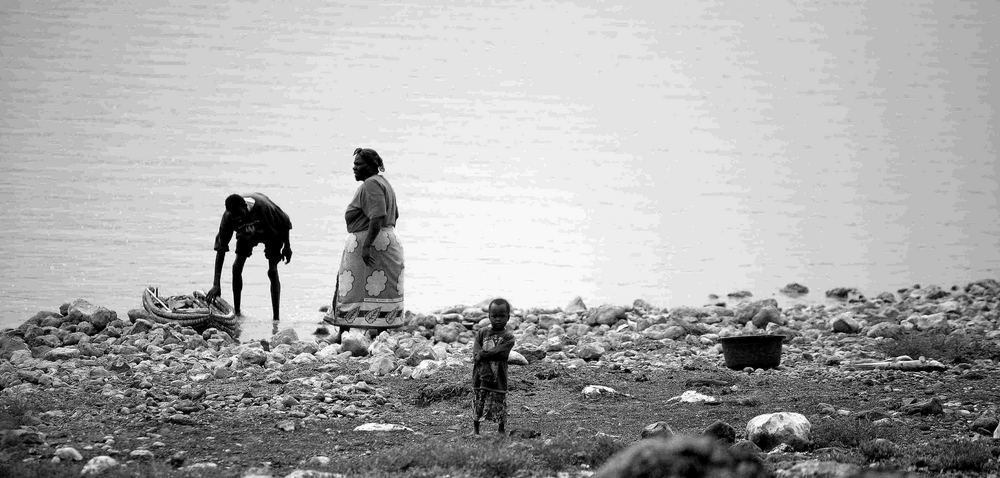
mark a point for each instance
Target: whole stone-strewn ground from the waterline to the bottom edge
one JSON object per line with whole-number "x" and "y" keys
{"x": 905, "y": 383}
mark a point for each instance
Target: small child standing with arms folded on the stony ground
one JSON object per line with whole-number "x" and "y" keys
{"x": 489, "y": 370}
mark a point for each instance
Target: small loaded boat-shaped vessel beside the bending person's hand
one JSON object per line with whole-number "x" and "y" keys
{"x": 192, "y": 310}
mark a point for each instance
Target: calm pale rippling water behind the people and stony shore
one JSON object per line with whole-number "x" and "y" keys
{"x": 539, "y": 150}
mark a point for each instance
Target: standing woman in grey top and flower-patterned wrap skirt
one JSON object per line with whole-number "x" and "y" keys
{"x": 369, "y": 291}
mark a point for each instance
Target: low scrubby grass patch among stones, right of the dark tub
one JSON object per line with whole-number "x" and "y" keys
{"x": 940, "y": 346}
